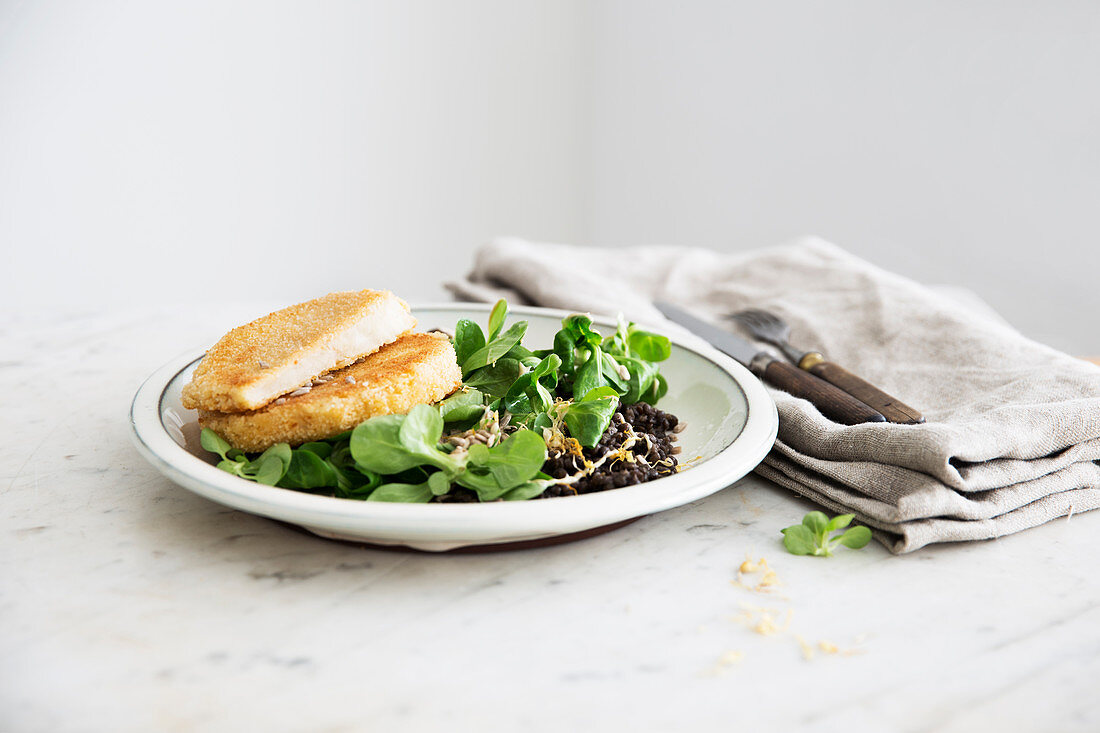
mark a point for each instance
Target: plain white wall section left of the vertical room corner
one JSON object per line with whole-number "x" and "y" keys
{"x": 239, "y": 150}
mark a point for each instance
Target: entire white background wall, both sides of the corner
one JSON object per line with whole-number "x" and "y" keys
{"x": 268, "y": 150}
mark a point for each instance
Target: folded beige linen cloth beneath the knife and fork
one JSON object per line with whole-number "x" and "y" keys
{"x": 1013, "y": 436}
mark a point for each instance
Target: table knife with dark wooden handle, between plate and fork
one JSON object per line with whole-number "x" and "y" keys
{"x": 833, "y": 402}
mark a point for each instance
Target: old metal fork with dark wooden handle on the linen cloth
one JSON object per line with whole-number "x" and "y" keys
{"x": 771, "y": 329}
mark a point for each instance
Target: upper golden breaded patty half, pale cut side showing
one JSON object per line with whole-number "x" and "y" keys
{"x": 282, "y": 352}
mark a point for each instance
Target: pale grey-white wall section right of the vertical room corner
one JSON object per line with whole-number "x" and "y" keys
{"x": 955, "y": 143}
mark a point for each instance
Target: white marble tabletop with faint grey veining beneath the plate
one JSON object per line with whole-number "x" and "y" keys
{"x": 128, "y": 604}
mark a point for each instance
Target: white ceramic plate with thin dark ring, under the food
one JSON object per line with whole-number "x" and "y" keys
{"x": 731, "y": 425}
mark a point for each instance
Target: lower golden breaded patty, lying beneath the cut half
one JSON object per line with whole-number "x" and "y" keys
{"x": 415, "y": 369}
